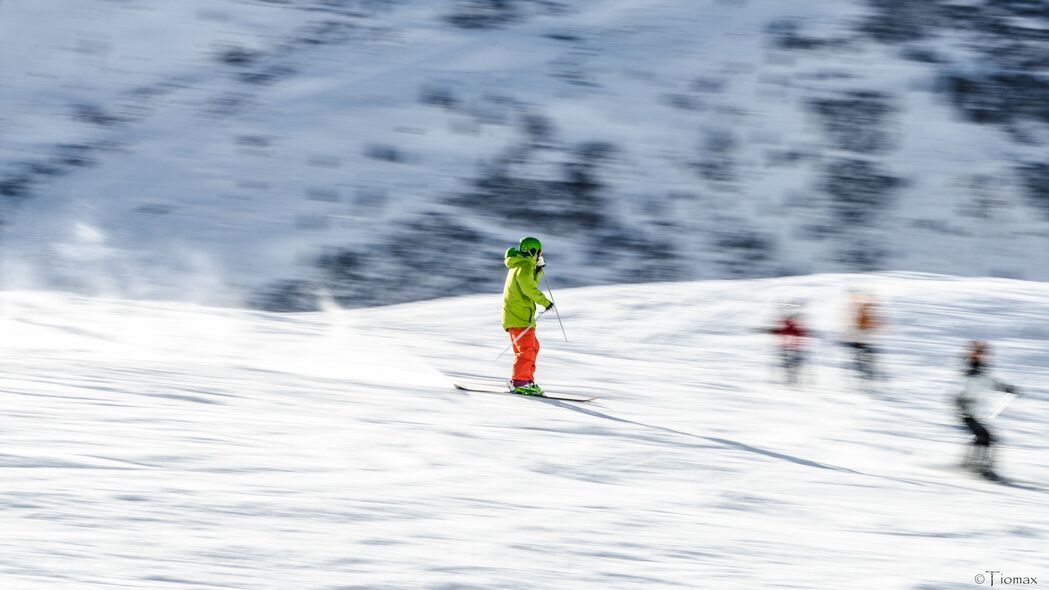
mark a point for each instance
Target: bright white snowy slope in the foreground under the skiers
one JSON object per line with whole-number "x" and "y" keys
{"x": 177, "y": 447}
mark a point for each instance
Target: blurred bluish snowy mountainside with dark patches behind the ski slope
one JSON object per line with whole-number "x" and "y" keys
{"x": 390, "y": 151}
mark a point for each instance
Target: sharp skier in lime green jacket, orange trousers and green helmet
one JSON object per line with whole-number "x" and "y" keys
{"x": 521, "y": 296}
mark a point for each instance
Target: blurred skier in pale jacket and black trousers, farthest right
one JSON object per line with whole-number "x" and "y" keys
{"x": 979, "y": 457}
